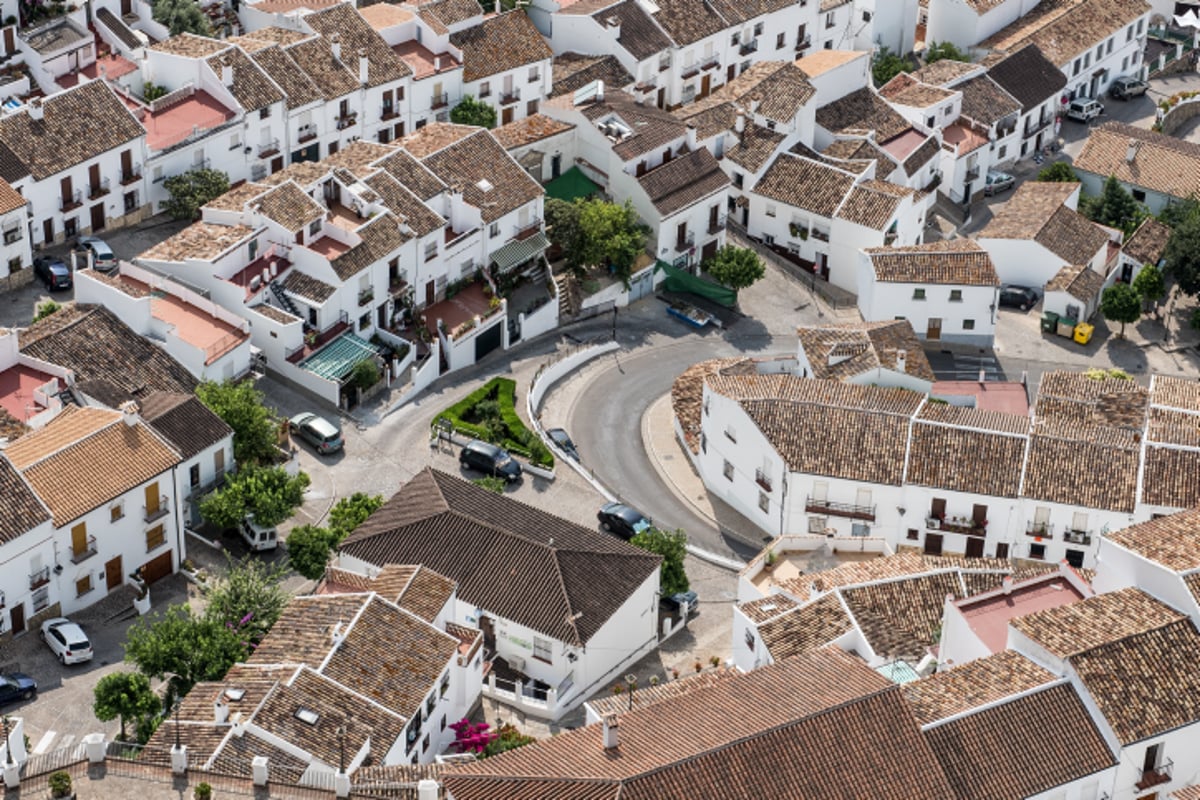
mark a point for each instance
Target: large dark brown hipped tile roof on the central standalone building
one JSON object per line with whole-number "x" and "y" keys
{"x": 435, "y": 516}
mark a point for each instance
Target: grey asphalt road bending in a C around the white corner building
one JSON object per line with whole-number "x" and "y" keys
{"x": 605, "y": 418}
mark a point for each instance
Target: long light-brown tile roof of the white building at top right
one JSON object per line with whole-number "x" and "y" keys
{"x": 1064, "y": 29}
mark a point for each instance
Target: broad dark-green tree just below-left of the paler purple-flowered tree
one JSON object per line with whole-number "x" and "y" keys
{"x": 183, "y": 645}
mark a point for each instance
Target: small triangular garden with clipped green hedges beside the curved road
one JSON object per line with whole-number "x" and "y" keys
{"x": 490, "y": 414}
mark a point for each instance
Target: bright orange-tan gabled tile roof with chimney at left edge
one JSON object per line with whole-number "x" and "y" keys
{"x": 87, "y": 458}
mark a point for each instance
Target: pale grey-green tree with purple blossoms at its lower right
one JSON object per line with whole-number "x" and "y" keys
{"x": 249, "y": 597}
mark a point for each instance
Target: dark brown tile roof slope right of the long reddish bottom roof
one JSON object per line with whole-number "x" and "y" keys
{"x": 979, "y": 751}
